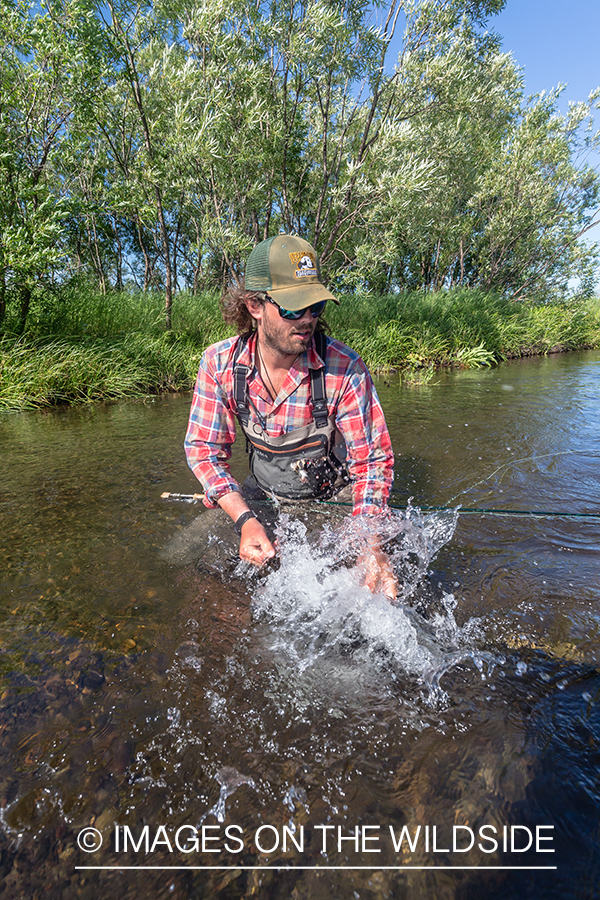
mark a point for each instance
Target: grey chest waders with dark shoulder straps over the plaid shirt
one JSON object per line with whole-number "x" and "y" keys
{"x": 304, "y": 464}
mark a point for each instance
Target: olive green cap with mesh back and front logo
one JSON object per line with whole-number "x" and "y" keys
{"x": 287, "y": 268}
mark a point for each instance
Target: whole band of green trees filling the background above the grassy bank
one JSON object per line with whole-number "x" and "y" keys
{"x": 149, "y": 146}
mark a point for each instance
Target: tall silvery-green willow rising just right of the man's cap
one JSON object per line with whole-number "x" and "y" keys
{"x": 419, "y": 228}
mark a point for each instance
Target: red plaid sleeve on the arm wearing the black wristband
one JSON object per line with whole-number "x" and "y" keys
{"x": 210, "y": 434}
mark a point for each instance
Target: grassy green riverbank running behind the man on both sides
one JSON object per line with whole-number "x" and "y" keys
{"x": 84, "y": 347}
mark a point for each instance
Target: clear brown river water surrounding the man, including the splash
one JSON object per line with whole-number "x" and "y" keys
{"x": 283, "y": 734}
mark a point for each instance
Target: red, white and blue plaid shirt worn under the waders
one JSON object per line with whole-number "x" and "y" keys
{"x": 351, "y": 398}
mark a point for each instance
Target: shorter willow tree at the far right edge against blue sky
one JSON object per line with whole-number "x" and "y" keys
{"x": 537, "y": 199}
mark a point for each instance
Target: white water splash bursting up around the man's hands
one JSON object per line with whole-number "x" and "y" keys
{"x": 319, "y": 614}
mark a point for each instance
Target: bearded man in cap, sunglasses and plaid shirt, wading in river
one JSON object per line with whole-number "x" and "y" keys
{"x": 305, "y": 402}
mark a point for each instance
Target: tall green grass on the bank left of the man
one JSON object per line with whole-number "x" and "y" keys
{"x": 81, "y": 346}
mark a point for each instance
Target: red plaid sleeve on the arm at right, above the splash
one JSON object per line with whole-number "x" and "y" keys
{"x": 370, "y": 459}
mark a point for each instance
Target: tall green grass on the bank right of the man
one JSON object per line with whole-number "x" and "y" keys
{"x": 462, "y": 328}
